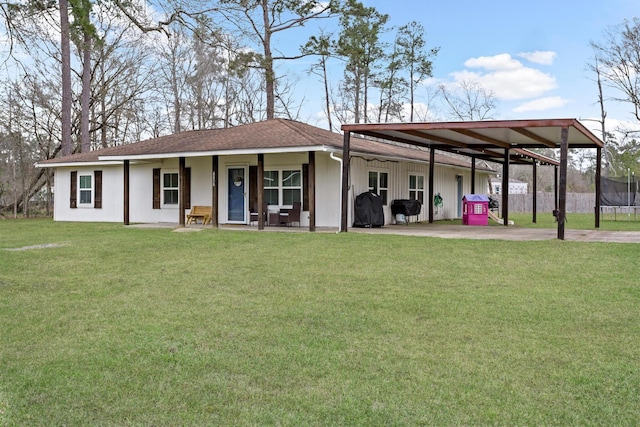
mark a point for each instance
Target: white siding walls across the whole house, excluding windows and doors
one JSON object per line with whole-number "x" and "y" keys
{"x": 328, "y": 187}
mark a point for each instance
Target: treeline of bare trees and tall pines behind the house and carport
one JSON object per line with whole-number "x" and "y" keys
{"x": 80, "y": 75}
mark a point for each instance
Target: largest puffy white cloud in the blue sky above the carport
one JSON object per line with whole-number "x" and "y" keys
{"x": 506, "y": 77}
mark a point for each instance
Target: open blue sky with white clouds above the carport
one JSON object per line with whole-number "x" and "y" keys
{"x": 532, "y": 55}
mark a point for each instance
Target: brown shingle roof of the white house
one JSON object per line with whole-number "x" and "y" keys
{"x": 267, "y": 135}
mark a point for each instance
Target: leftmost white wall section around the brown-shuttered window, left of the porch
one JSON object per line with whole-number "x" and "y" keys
{"x": 112, "y": 200}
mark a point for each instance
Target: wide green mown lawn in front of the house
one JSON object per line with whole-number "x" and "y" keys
{"x": 106, "y": 325}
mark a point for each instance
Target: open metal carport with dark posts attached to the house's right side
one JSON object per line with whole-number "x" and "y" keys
{"x": 501, "y": 141}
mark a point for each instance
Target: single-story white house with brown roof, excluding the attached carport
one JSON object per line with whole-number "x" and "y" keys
{"x": 160, "y": 179}
